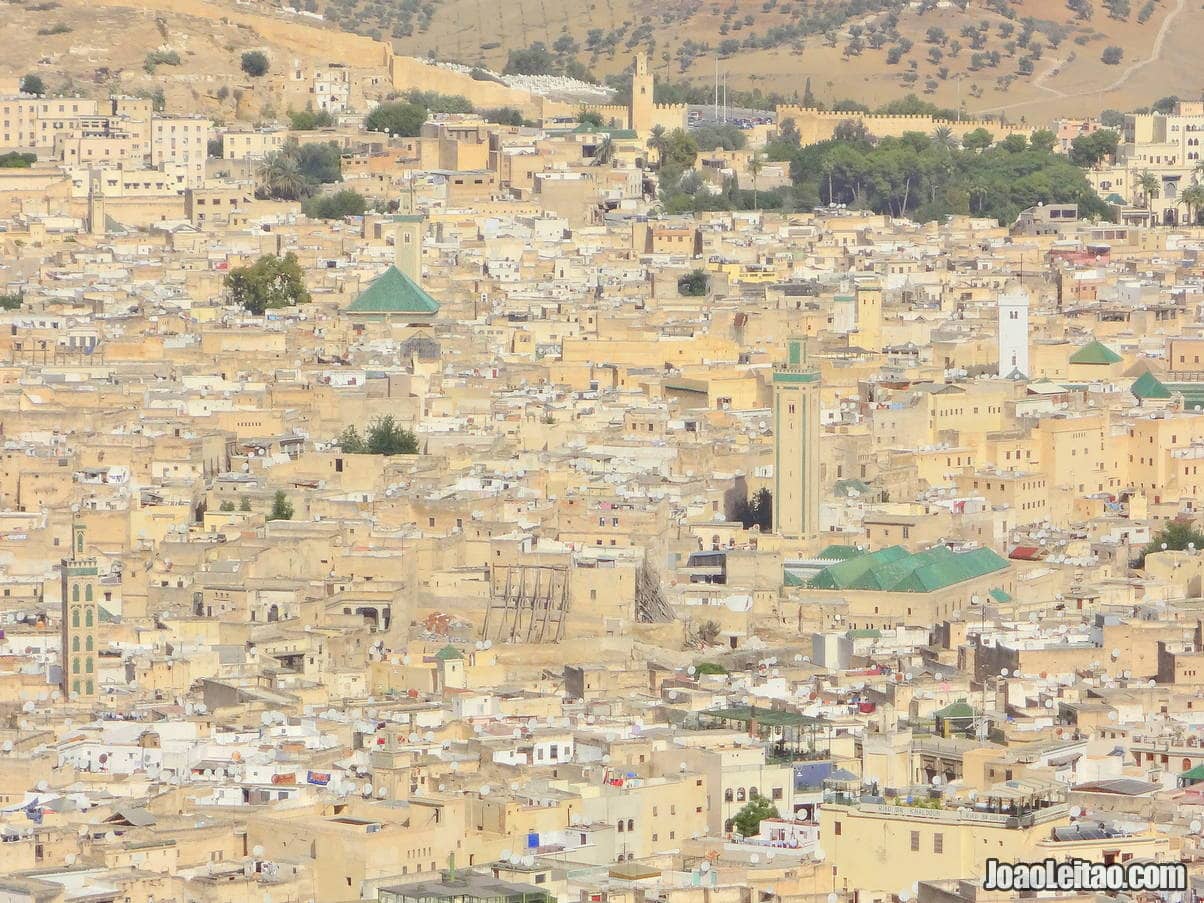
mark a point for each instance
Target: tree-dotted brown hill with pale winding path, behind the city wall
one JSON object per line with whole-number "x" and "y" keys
{"x": 867, "y": 50}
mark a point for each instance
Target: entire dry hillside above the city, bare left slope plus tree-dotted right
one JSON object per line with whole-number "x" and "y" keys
{"x": 1031, "y": 60}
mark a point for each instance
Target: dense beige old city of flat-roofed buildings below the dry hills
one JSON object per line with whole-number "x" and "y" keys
{"x": 559, "y": 501}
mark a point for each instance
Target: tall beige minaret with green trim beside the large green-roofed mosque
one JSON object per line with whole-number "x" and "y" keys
{"x": 796, "y": 445}
